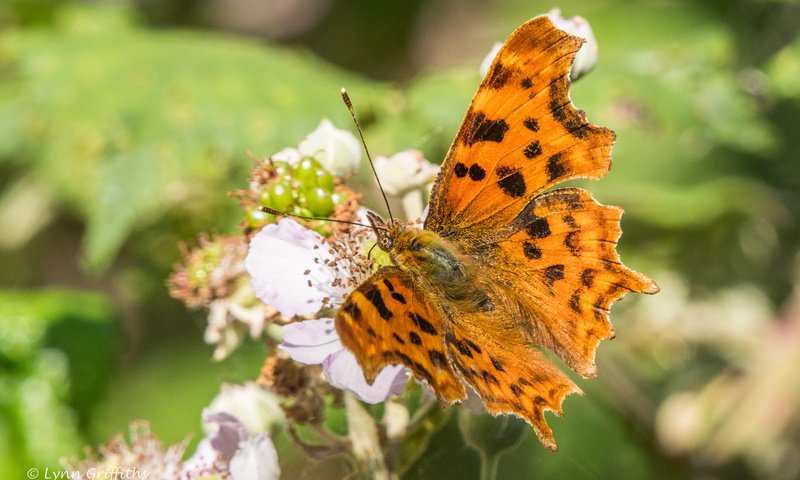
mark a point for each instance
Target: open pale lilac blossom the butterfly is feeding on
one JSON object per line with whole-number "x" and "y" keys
{"x": 279, "y": 256}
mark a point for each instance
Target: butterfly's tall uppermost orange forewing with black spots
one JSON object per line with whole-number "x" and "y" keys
{"x": 520, "y": 136}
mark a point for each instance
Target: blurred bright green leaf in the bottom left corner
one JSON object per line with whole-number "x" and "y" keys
{"x": 57, "y": 352}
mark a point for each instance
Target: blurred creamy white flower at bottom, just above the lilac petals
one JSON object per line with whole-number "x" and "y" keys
{"x": 257, "y": 408}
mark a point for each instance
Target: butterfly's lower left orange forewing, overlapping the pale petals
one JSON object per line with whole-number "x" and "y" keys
{"x": 388, "y": 321}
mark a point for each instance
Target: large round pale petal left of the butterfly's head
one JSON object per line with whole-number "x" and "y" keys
{"x": 278, "y": 257}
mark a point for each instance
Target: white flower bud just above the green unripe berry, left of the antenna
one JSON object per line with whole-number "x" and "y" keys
{"x": 336, "y": 150}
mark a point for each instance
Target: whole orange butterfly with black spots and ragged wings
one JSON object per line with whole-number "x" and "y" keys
{"x": 504, "y": 266}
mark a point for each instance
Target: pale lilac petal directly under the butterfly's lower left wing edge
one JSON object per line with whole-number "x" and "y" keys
{"x": 342, "y": 371}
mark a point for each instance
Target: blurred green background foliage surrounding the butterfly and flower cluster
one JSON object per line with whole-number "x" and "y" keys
{"x": 123, "y": 125}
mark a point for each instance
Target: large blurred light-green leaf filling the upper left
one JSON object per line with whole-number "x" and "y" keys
{"x": 127, "y": 123}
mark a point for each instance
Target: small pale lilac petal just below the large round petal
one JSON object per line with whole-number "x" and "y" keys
{"x": 310, "y": 341}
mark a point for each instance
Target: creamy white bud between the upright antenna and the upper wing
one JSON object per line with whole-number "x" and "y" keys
{"x": 404, "y": 171}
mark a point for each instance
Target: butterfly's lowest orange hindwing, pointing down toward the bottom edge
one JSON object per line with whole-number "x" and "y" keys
{"x": 509, "y": 376}
